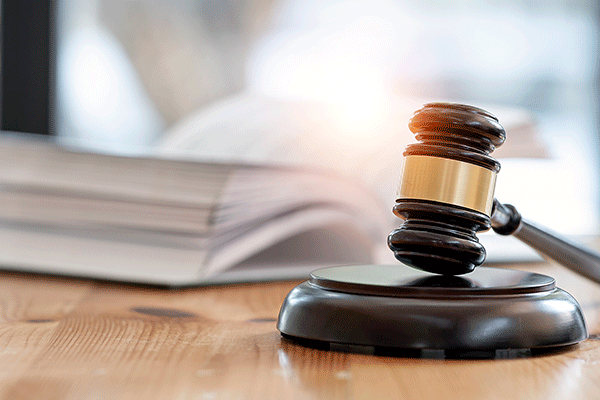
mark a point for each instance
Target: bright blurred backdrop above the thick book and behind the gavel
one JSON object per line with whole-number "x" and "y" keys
{"x": 333, "y": 84}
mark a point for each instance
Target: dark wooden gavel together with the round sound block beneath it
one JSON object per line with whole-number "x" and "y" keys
{"x": 447, "y": 301}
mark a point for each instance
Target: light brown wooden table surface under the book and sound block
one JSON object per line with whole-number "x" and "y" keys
{"x": 80, "y": 339}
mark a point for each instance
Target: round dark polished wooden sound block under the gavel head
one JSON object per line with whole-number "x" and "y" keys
{"x": 400, "y": 307}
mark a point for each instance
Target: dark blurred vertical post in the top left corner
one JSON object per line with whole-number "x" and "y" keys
{"x": 25, "y": 72}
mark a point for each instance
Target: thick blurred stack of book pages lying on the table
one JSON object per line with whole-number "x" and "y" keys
{"x": 153, "y": 220}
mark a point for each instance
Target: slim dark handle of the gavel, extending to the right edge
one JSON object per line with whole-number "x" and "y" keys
{"x": 506, "y": 220}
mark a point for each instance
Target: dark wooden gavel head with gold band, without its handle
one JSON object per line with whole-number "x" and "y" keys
{"x": 446, "y": 190}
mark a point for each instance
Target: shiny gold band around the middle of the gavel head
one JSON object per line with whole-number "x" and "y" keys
{"x": 447, "y": 181}
